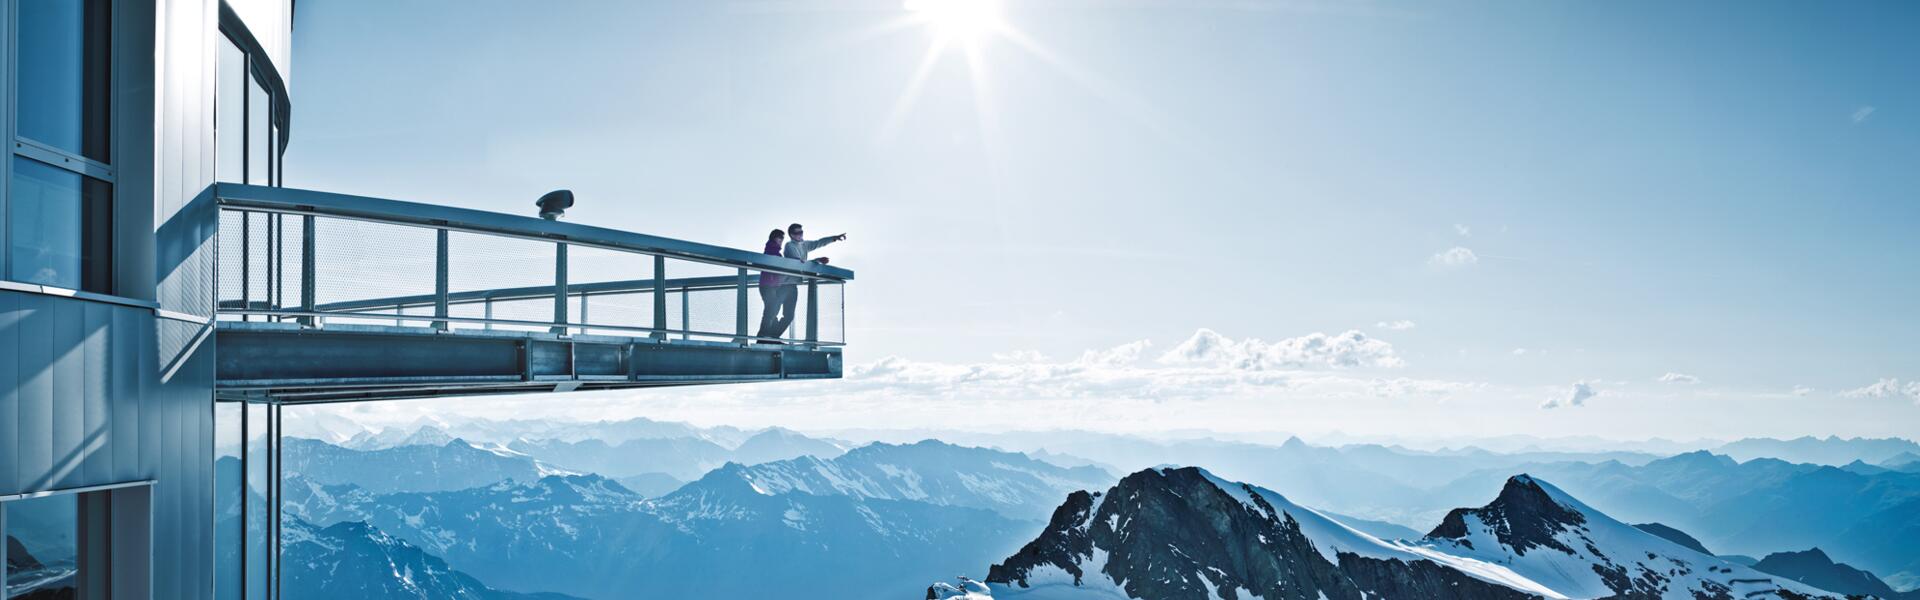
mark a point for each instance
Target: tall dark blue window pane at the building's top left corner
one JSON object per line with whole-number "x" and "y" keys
{"x": 62, "y": 76}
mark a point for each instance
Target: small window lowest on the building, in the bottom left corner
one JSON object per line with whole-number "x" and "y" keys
{"x": 43, "y": 549}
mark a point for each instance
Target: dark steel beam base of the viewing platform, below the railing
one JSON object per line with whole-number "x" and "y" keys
{"x": 293, "y": 364}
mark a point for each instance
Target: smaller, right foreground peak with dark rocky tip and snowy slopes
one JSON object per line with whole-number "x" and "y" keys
{"x": 1581, "y": 553}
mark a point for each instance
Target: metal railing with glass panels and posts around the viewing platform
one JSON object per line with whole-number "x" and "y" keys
{"x": 318, "y": 259}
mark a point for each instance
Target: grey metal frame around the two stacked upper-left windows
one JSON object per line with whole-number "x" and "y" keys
{"x": 57, "y": 157}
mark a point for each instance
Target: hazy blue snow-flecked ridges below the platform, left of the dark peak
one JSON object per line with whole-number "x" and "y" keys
{"x": 852, "y": 530}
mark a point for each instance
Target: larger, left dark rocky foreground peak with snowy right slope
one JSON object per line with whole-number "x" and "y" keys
{"x": 1186, "y": 534}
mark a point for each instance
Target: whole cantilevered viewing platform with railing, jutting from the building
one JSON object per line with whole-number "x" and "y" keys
{"x": 339, "y": 299}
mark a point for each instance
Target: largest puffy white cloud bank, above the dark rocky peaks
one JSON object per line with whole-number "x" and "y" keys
{"x": 1310, "y": 351}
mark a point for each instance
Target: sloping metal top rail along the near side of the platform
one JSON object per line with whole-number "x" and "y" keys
{"x": 329, "y": 205}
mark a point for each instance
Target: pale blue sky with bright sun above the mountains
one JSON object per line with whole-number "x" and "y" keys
{"x": 1725, "y": 191}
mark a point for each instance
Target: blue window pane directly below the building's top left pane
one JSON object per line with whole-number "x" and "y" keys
{"x": 59, "y": 228}
